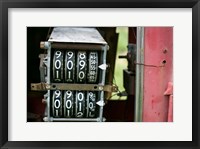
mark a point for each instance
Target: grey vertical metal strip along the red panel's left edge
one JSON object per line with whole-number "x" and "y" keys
{"x": 139, "y": 75}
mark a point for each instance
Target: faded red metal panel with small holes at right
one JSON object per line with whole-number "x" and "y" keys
{"x": 158, "y": 50}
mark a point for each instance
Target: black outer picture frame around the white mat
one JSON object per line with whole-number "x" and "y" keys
{"x": 6, "y": 4}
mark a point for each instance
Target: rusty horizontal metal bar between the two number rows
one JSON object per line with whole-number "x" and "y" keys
{"x": 67, "y": 86}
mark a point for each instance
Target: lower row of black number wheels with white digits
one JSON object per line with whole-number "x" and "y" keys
{"x": 78, "y": 104}
